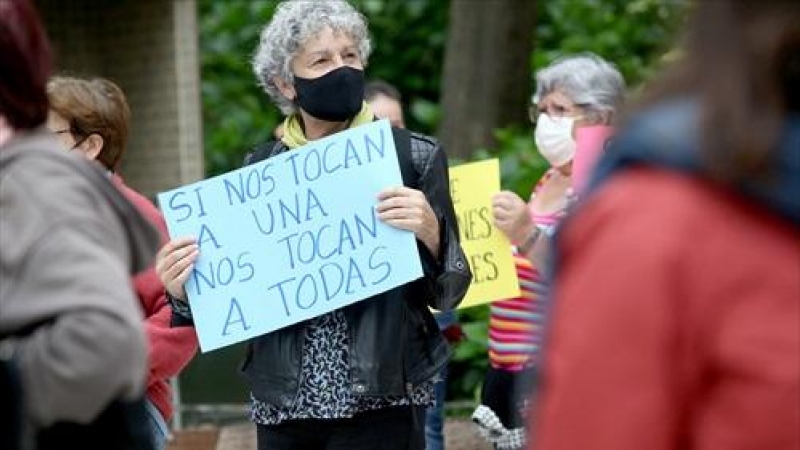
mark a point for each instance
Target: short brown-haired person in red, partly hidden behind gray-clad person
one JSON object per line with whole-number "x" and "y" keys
{"x": 91, "y": 118}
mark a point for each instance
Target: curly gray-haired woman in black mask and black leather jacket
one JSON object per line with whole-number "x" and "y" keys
{"x": 359, "y": 377}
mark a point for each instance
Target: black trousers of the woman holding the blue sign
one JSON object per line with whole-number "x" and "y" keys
{"x": 397, "y": 428}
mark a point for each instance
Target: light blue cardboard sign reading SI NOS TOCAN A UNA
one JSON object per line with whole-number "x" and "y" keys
{"x": 292, "y": 237}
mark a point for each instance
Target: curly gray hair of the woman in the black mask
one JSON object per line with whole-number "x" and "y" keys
{"x": 292, "y": 25}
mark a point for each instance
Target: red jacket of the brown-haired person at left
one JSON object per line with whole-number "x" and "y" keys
{"x": 170, "y": 349}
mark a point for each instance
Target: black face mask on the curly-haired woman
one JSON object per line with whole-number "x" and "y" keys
{"x": 335, "y": 96}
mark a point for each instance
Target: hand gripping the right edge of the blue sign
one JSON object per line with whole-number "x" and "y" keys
{"x": 408, "y": 209}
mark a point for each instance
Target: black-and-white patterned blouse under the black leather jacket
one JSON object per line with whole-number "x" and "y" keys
{"x": 325, "y": 391}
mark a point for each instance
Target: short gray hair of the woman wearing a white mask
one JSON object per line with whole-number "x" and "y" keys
{"x": 588, "y": 80}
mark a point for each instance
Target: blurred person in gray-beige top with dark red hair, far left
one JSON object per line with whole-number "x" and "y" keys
{"x": 72, "y": 348}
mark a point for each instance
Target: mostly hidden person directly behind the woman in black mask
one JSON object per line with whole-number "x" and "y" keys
{"x": 386, "y": 103}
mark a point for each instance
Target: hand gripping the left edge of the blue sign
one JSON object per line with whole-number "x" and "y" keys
{"x": 174, "y": 263}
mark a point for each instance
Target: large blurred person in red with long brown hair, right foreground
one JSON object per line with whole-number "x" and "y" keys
{"x": 677, "y": 292}
